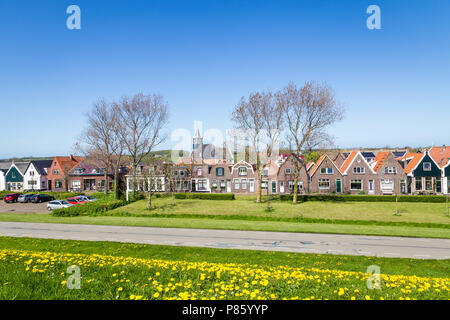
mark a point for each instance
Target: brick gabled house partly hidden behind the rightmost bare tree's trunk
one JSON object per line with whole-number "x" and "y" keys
{"x": 286, "y": 176}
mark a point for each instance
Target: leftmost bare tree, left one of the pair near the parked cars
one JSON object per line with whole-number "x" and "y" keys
{"x": 101, "y": 140}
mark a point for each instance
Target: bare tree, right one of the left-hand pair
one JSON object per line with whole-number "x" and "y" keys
{"x": 142, "y": 119}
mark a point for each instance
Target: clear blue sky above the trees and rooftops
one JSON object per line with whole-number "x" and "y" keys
{"x": 204, "y": 55}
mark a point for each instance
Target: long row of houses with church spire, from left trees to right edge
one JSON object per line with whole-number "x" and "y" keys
{"x": 352, "y": 172}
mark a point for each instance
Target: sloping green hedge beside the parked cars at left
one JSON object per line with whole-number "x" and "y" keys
{"x": 91, "y": 208}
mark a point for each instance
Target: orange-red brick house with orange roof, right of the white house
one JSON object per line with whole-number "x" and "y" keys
{"x": 58, "y": 173}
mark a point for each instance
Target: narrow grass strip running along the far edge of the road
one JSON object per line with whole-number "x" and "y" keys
{"x": 405, "y": 231}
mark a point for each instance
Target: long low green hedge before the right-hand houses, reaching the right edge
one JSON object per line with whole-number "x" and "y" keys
{"x": 364, "y": 198}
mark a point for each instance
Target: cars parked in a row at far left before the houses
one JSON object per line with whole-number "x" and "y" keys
{"x": 53, "y": 204}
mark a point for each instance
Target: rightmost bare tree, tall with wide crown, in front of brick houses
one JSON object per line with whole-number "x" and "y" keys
{"x": 308, "y": 112}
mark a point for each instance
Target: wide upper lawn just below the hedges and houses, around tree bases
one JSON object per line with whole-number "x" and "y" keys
{"x": 245, "y": 206}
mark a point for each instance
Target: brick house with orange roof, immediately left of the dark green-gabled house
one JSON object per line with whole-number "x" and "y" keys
{"x": 391, "y": 178}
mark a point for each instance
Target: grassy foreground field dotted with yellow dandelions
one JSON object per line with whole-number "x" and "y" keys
{"x": 38, "y": 269}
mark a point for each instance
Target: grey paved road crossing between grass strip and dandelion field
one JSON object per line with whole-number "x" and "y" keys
{"x": 255, "y": 240}
